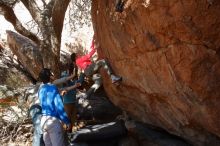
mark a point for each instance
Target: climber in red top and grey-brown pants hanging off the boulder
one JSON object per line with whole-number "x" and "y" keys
{"x": 91, "y": 68}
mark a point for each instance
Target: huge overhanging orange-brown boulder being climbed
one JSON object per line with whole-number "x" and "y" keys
{"x": 168, "y": 53}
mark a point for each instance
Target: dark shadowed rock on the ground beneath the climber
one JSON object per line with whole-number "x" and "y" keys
{"x": 98, "y": 107}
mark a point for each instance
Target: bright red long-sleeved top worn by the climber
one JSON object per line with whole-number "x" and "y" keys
{"x": 83, "y": 61}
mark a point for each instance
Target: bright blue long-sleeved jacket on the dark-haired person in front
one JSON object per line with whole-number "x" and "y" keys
{"x": 51, "y": 102}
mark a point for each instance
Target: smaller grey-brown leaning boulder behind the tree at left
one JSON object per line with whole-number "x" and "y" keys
{"x": 27, "y": 52}
